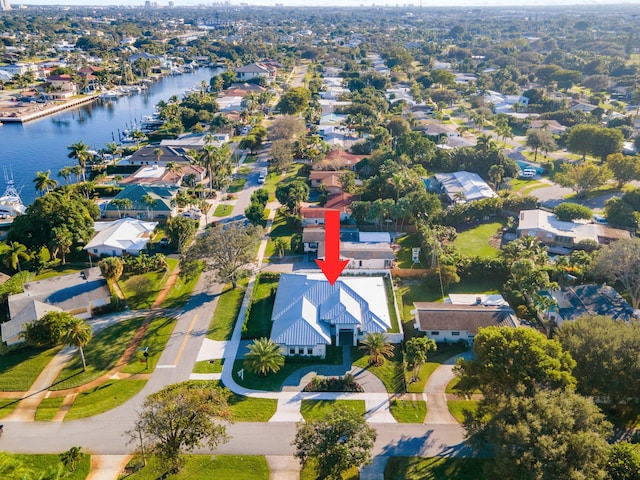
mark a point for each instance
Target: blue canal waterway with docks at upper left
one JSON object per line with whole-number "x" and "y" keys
{"x": 42, "y": 144}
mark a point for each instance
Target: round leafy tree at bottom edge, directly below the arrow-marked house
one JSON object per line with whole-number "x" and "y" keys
{"x": 336, "y": 443}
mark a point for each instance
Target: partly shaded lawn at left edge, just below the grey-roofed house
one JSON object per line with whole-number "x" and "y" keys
{"x": 20, "y": 368}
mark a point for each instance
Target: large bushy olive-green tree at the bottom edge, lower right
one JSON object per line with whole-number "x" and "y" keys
{"x": 551, "y": 434}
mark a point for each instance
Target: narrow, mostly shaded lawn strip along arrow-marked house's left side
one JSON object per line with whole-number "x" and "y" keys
{"x": 258, "y": 323}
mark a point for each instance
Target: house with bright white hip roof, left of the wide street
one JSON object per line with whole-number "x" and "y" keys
{"x": 124, "y": 236}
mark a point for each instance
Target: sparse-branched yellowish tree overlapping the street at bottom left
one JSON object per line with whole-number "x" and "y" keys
{"x": 180, "y": 418}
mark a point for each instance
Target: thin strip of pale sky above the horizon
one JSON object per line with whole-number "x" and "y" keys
{"x": 344, "y": 3}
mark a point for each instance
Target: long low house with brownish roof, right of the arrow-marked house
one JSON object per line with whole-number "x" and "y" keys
{"x": 448, "y": 322}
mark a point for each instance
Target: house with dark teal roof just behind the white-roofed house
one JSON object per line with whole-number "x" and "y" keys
{"x": 147, "y": 202}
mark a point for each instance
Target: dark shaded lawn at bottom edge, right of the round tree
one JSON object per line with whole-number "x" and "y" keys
{"x": 435, "y": 468}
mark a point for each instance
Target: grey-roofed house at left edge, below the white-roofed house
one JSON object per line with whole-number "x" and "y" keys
{"x": 79, "y": 294}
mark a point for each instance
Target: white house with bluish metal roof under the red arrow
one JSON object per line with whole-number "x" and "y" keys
{"x": 308, "y": 312}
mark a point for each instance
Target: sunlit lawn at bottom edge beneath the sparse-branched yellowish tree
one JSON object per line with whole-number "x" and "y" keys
{"x": 207, "y": 467}
